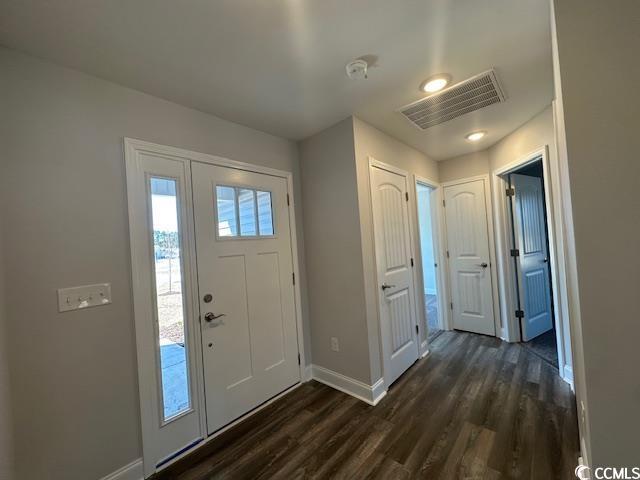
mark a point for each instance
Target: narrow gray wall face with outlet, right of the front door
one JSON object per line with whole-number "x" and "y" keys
{"x": 333, "y": 252}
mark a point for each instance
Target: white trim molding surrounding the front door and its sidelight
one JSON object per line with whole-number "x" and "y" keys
{"x": 132, "y": 148}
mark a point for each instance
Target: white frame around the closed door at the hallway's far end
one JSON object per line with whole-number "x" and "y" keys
{"x": 492, "y": 249}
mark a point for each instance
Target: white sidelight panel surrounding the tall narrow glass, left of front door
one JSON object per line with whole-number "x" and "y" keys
{"x": 162, "y": 438}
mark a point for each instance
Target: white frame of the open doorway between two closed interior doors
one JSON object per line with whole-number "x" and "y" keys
{"x": 444, "y": 313}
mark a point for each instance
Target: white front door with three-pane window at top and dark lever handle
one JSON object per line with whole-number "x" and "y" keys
{"x": 246, "y": 292}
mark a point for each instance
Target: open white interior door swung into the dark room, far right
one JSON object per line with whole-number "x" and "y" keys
{"x": 533, "y": 260}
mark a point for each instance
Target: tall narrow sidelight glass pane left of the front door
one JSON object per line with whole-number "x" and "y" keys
{"x": 169, "y": 298}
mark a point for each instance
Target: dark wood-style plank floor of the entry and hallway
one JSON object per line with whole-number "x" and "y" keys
{"x": 475, "y": 408}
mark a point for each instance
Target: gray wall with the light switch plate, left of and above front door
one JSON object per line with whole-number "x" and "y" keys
{"x": 74, "y": 387}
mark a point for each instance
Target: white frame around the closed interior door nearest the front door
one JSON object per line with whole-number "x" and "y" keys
{"x": 412, "y": 206}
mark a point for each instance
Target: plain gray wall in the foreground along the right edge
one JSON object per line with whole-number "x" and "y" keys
{"x": 599, "y": 71}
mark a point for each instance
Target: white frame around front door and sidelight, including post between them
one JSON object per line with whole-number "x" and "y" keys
{"x": 132, "y": 148}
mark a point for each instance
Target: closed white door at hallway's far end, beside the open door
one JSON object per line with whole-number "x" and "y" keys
{"x": 469, "y": 259}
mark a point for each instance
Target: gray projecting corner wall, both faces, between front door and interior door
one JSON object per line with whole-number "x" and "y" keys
{"x": 339, "y": 245}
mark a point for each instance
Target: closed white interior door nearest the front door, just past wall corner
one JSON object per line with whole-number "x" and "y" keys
{"x": 395, "y": 277}
